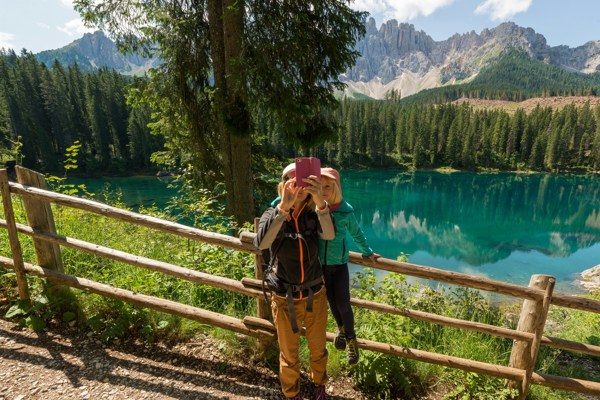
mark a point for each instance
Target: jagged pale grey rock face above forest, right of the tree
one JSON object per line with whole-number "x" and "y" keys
{"x": 399, "y": 57}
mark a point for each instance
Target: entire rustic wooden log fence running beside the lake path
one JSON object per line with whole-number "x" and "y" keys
{"x": 527, "y": 337}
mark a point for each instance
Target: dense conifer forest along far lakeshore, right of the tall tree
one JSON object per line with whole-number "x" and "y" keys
{"x": 381, "y": 134}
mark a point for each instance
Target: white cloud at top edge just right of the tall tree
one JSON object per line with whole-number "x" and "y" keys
{"x": 401, "y": 10}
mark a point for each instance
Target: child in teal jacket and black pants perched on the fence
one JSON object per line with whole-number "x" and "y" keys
{"x": 334, "y": 256}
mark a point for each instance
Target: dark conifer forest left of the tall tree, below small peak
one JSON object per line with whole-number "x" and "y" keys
{"x": 43, "y": 111}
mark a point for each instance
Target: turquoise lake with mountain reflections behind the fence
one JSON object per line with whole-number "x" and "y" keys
{"x": 502, "y": 226}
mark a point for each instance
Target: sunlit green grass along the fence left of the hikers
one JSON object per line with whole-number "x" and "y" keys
{"x": 112, "y": 318}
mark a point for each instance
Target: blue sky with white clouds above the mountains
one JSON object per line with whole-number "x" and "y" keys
{"x": 49, "y": 24}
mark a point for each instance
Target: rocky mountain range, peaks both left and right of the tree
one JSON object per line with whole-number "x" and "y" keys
{"x": 394, "y": 57}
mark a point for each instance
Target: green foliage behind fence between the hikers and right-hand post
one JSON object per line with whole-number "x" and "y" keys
{"x": 393, "y": 377}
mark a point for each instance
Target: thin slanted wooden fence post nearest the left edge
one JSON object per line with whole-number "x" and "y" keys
{"x": 13, "y": 237}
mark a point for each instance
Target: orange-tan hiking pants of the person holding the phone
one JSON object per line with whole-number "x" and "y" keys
{"x": 315, "y": 323}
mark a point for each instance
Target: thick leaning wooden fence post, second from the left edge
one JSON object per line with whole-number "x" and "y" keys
{"x": 39, "y": 215}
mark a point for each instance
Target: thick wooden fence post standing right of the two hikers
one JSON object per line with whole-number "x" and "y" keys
{"x": 532, "y": 320}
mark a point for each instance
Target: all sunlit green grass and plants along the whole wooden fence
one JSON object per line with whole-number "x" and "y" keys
{"x": 381, "y": 376}
